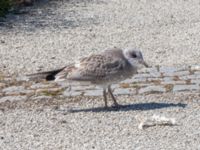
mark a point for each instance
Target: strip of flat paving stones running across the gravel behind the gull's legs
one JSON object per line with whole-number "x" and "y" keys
{"x": 147, "y": 81}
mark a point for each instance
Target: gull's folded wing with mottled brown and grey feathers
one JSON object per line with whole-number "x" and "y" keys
{"x": 92, "y": 68}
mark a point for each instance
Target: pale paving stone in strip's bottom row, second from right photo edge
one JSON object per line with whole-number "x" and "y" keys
{"x": 152, "y": 89}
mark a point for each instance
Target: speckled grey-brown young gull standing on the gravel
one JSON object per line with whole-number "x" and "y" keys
{"x": 103, "y": 69}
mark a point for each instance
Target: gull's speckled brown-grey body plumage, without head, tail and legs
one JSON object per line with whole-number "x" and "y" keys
{"x": 99, "y": 68}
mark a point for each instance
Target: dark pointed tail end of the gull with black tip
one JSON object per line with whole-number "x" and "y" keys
{"x": 48, "y": 75}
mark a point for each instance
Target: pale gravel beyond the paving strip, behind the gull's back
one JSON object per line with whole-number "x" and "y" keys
{"x": 54, "y": 34}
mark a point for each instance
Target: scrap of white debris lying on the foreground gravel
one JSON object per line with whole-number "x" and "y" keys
{"x": 155, "y": 120}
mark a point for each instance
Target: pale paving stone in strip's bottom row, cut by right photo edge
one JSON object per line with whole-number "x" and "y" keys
{"x": 178, "y": 88}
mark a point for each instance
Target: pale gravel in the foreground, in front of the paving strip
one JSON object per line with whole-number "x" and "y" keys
{"x": 33, "y": 125}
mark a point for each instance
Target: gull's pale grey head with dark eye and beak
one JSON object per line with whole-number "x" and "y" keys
{"x": 134, "y": 57}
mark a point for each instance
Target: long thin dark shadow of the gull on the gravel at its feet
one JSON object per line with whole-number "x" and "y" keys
{"x": 131, "y": 107}
